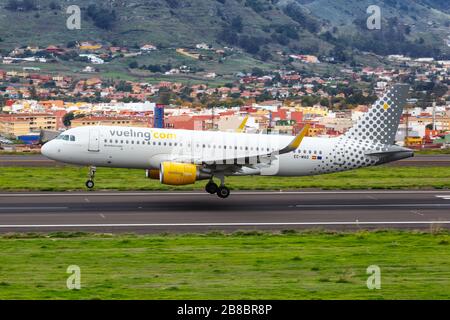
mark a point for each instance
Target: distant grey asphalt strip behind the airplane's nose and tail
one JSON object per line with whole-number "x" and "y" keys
{"x": 37, "y": 160}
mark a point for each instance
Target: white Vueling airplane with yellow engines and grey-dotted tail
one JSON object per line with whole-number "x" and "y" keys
{"x": 182, "y": 157}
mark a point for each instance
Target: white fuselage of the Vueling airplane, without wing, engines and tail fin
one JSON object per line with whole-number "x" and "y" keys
{"x": 147, "y": 148}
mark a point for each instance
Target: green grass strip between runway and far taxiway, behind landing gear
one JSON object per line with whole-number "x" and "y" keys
{"x": 73, "y": 178}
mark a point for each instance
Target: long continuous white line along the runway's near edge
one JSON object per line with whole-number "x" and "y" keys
{"x": 220, "y": 224}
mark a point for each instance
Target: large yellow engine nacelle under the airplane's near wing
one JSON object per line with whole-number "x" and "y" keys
{"x": 178, "y": 174}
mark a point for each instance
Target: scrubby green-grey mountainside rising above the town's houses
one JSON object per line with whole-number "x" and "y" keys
{"x": 259, "y": 27}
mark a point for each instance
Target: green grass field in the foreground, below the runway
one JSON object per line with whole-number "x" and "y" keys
{"x": 251, "y": 265}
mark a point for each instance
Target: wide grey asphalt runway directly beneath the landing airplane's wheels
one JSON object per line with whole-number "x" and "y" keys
{"x": 157, "y": 212}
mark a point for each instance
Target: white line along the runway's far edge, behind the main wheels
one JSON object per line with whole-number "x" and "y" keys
{"x": 236, "y": 193}
